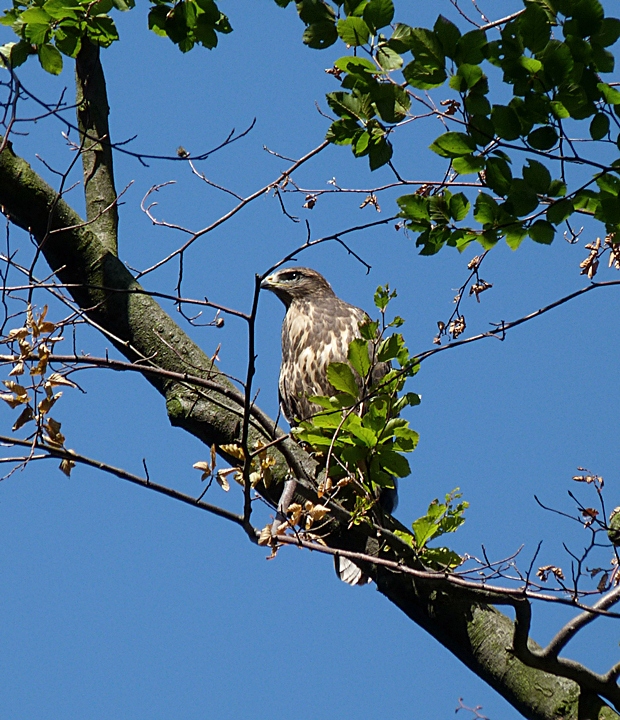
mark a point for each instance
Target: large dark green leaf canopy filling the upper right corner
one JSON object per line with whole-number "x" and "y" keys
{"x": 552, "y": 56}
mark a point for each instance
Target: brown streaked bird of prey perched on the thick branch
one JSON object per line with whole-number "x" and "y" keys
{"x": 317, "y": 330}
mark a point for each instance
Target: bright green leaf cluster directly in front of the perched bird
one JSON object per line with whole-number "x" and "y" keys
{"x": 358, "y": 430}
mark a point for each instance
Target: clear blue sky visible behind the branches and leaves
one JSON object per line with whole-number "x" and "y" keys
{"x": 118, "y": 603}
